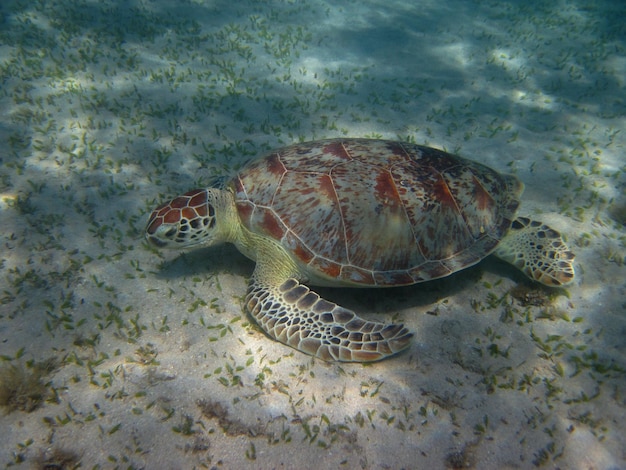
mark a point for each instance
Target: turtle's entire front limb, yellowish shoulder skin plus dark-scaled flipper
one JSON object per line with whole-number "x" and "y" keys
{"x": 291, "y": 313}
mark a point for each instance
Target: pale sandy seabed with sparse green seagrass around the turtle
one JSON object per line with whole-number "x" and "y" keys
{"x": 114, "y": 355}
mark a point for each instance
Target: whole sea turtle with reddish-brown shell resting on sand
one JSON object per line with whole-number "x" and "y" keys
{"x": 357, "y": 213}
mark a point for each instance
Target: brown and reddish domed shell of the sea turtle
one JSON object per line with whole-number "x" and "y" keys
{"x": 376, "y": 212}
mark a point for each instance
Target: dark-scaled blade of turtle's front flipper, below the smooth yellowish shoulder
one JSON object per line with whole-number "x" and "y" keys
{"x": 294, "y": 315}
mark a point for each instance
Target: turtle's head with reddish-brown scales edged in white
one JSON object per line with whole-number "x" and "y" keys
{"x": 186, "y": 220}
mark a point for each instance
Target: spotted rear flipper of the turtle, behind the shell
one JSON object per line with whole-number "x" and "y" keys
{"x": 538, "y": 251}
